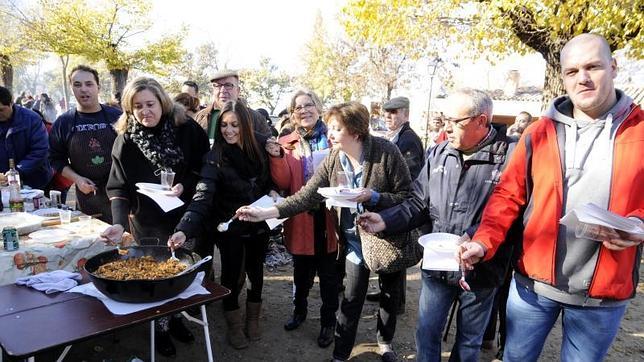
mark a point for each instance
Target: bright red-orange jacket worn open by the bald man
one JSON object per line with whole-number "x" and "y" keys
{"x": 533, "y": 181}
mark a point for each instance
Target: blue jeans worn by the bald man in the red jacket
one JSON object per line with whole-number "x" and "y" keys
{"x": 587, "y": 331}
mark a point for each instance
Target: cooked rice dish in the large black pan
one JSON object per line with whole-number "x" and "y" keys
{"x": 140, "y": 268}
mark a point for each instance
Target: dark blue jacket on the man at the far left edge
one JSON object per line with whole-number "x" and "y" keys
{"x": 26, "y": 141}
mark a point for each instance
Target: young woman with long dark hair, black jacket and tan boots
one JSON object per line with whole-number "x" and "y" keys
{"x": 235, "y": 174}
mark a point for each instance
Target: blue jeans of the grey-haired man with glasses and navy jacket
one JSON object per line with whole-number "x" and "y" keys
{"x": 436, "y": 296}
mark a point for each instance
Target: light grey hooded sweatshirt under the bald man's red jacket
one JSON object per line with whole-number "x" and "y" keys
{"x": 587, "y": 157}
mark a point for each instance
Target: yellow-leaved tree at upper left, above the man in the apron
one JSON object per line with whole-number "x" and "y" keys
{"x": 101, "y": 31}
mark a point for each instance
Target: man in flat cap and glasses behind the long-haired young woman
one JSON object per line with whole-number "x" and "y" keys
{"x": 225, "y": 87}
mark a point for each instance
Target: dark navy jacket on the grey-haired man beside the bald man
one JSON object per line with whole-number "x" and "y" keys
{"x": 449, "y": 196}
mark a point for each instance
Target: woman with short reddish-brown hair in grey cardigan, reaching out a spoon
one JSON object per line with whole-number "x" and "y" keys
{"x": 382, "y": 179}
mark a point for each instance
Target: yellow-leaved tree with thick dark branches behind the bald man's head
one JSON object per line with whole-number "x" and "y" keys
{"x": 544, "y": 26}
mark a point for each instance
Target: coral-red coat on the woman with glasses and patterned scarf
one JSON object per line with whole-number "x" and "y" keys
{"x": 287, "y": 175}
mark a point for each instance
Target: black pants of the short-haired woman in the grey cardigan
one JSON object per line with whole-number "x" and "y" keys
{"x": 357, "y": 284}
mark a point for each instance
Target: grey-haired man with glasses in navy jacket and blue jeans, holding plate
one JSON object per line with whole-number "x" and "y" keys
{"x": 448, "y": 196}
